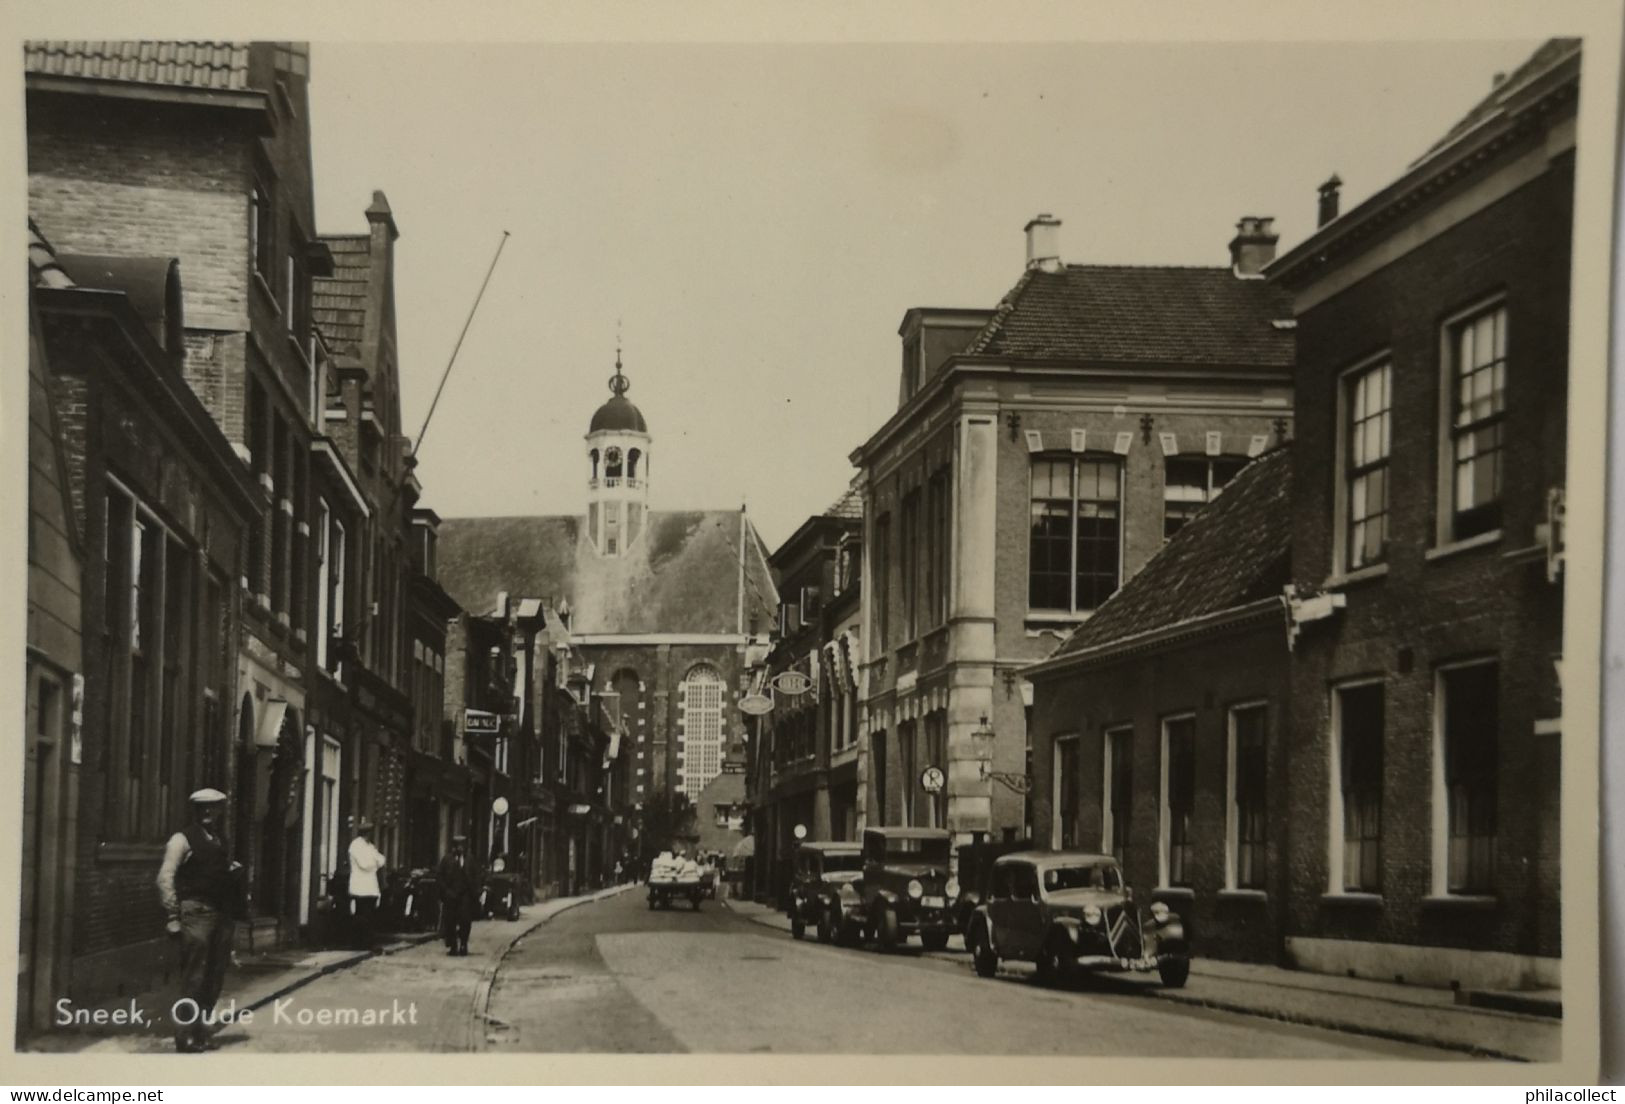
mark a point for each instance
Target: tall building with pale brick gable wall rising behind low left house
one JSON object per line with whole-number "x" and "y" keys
{"x": 202, "y": 152}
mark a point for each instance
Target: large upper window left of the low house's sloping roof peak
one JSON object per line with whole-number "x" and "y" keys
{"x": 1075, "y": 534}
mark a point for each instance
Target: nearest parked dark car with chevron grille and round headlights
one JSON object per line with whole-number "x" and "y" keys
{"x": 1070, "y": 913}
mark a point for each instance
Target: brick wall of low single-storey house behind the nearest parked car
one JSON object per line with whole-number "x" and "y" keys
{"x": 1205, "y": 679}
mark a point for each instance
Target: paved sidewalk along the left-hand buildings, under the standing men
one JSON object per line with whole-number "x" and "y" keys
{"x": 259, "y": 980}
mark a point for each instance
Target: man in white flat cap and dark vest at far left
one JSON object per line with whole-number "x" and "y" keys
{"x": 201, "y": 890}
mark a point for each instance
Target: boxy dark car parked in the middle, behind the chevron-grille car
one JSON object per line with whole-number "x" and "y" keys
{"x": 906, "y": 887}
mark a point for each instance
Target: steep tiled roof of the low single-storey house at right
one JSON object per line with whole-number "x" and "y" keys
{"x": 1234, "y": 552}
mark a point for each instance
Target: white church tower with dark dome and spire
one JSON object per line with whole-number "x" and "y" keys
{"x": 618, "y": 482}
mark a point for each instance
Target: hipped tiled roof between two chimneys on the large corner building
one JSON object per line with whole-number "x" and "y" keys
{"x": 1129, "y": 313}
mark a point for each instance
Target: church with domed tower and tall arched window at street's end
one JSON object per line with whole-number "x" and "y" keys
{"x": 654, "y": 619}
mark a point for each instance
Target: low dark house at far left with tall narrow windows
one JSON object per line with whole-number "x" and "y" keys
{"x": 155, "y": 490}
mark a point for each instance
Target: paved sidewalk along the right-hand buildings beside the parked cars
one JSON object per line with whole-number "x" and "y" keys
{"x": 1385, "y": 1011}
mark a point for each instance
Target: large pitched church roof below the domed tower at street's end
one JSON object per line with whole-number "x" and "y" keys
{"x": 683, "y": 575}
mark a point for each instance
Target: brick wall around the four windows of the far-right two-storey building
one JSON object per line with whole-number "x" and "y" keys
{"x": 1426, "y": 612}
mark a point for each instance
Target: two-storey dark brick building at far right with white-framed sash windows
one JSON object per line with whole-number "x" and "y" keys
{"x": 1428, "y": 554}
